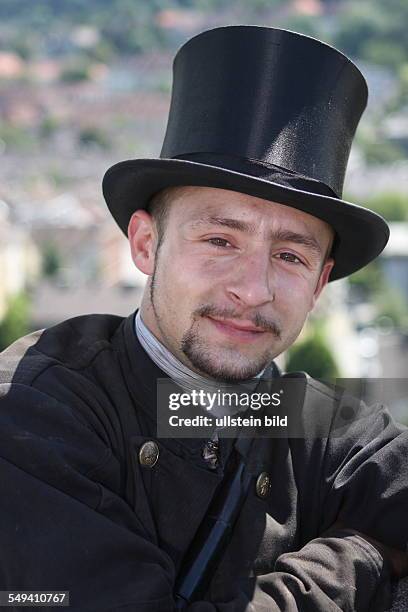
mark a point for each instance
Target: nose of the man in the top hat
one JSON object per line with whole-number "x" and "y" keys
{"x": 251, "y": 283}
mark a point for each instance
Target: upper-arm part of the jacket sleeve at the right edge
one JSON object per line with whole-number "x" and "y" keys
{"x": 365, "y": 480}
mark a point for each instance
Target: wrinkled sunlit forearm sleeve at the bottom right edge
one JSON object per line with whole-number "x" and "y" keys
{"x": 340, "y": 572}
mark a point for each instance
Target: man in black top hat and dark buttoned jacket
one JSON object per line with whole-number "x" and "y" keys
{"x": 239, "y": 226}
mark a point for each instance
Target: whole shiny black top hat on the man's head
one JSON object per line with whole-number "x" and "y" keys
{"x": 266, "y": 112}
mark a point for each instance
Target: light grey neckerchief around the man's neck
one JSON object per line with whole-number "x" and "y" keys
{"x": 178, "y": 372}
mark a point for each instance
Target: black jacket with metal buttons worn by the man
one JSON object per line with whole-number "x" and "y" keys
{"x": 79, "y": 512}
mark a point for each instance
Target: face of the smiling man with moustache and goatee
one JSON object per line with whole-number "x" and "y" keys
{"x": 233, "y": 280}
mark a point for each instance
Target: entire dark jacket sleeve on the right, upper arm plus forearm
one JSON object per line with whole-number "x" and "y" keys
{"x": 364, "y": 486}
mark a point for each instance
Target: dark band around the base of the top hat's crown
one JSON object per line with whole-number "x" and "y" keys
{"x": 261, "y": 169}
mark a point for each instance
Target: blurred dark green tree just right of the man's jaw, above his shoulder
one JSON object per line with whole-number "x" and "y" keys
{"x": 313, "y": 355}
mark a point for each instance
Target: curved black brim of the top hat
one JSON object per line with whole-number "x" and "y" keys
{"x": 361, "y": 234}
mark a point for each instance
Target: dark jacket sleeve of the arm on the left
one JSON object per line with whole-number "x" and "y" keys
{"x": 62, "y": 527}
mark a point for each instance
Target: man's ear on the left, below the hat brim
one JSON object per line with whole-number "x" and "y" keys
{"x": 143, "y": 240}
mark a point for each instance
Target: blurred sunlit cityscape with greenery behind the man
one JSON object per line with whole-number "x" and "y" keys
{"x": 86, "y": 84}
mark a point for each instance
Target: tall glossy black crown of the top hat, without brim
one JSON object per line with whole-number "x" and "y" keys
{"x": 266, "y": 95}
